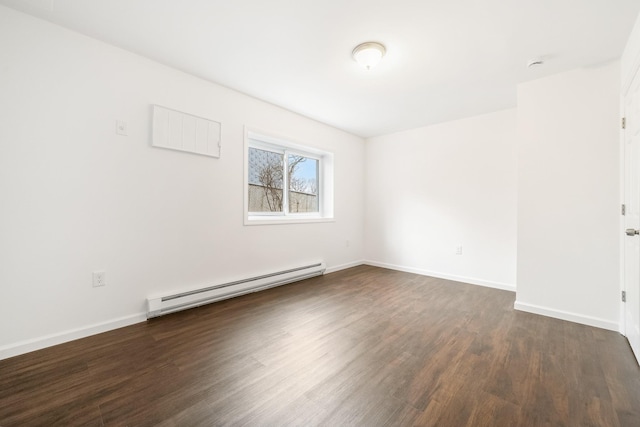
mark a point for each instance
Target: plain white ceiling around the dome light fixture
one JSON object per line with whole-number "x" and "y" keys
{"x": 446, "y": 59}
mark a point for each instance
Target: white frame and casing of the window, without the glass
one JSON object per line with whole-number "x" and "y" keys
{"x": 284, "y": 146}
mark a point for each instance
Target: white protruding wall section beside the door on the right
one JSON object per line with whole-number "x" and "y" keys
{"x": 568, "y": 196}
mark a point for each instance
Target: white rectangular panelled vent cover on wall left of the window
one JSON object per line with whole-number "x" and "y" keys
{"x": 180, "y": 131}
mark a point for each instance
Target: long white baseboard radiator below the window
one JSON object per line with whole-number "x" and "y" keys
{"x": 158, "y": 306}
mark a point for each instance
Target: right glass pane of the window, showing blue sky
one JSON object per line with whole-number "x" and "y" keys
{"x": 303, "y": 184}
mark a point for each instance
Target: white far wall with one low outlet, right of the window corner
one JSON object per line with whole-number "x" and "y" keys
{"x": 431, "y": 189}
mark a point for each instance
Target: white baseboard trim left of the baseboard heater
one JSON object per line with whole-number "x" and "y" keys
{"x": 28, "y": 346}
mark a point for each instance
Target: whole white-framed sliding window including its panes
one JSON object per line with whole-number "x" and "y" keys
{"x": 286, "y": 182}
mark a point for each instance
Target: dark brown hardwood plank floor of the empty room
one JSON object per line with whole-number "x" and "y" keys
{"x": 361, "y": 347}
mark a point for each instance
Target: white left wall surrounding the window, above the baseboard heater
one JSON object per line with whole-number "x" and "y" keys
{"x": 75, "y": 197}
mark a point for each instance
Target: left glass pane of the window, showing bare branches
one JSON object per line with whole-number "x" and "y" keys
{"x": 265, "y": 180}
